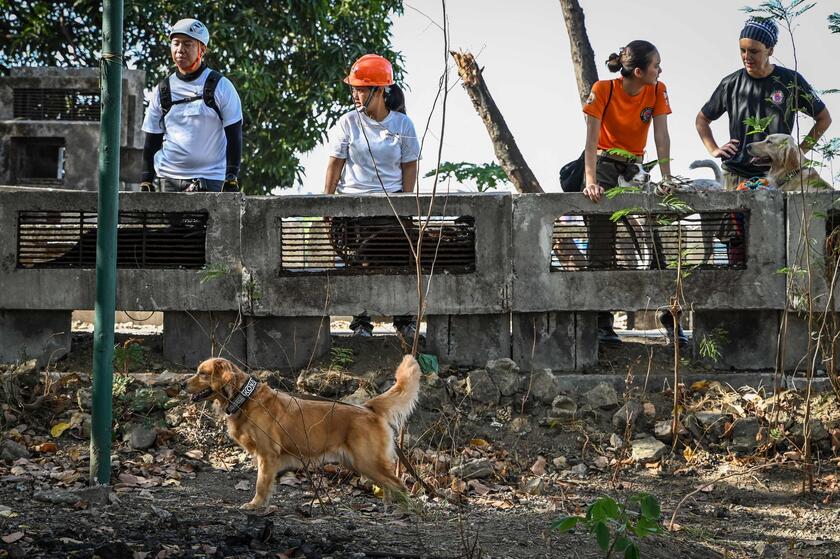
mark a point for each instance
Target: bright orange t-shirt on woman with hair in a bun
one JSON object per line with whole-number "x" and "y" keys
{"x": 627, "y": 121}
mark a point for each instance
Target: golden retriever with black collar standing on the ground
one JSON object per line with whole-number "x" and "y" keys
{"x": 283, "y": 432}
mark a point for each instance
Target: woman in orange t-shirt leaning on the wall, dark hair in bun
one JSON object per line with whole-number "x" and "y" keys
{"x": 618, "y": 117}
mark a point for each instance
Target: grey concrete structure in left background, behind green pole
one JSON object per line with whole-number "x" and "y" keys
{"x": 81, "y": 138}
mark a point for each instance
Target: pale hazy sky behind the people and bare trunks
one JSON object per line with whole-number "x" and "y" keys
{"x": 524, "y": 50}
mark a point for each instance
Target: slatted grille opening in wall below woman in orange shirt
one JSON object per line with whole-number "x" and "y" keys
{"x": 648, "y": 241}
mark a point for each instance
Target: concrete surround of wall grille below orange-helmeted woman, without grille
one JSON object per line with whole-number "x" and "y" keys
{"x": 484, "y": 291}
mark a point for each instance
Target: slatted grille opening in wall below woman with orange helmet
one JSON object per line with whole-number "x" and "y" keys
{"x": 377, "y": 245}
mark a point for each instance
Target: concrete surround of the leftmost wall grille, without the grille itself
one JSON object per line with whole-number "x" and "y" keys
{"x": 137, "y": 289}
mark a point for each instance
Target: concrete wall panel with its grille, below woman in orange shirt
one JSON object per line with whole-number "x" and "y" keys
{"x": 731, "y": 253}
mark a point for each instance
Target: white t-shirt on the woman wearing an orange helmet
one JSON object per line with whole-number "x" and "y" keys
{"x": 393, "y": 142}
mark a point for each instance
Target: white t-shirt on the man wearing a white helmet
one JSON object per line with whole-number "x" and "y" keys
{"x": 194, "y": 142}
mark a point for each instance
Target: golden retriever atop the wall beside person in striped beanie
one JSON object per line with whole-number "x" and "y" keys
{"x": 787, "y": 171}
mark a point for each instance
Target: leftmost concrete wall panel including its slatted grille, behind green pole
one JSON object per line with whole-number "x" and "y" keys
{"x": 175, "y": 251}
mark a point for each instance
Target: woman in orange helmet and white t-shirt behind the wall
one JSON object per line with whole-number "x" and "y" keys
{"x": 374, "y": 149}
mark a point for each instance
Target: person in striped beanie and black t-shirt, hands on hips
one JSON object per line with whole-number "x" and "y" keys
{"x": 759, "y": 90}
